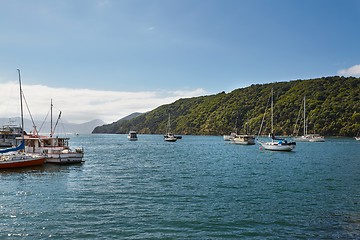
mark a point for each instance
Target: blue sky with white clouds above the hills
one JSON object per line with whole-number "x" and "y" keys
{"x": 105, "y": 59}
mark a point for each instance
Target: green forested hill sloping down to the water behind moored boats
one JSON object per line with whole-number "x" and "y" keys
{"x": 332, "y": 109}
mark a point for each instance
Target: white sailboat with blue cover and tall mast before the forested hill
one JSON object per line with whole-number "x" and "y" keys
{"x": 276, "y": 144}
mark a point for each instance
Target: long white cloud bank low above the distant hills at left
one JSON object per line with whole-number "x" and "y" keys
{"x": 82, "y": 105}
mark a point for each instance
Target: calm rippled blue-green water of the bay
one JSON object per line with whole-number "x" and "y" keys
{"x": 199, "y": 187}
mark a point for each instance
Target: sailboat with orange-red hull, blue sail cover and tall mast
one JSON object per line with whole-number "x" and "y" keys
{"x": 16, "y": 157}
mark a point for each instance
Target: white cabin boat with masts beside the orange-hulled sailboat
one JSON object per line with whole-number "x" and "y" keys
{"x": 55, "y": 149}
